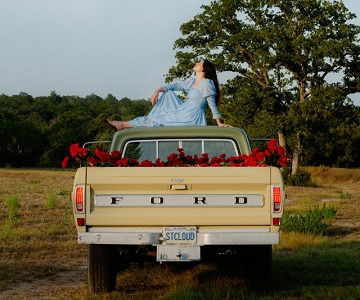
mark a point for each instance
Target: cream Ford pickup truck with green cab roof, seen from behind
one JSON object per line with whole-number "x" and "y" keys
{"x": 177, "y": 214}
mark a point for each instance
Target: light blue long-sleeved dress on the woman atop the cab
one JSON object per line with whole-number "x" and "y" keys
{"x": 171, "y": 111}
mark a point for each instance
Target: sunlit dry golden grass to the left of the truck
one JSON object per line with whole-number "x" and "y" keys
{"x": 41, "y": 241}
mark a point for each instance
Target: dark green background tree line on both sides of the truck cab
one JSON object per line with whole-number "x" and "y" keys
{"x": 37, "y": 131}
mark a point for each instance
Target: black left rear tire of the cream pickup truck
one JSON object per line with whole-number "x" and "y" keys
{"x": 101, "y": 268}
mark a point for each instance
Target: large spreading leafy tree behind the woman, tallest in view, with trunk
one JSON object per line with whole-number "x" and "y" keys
{"x": 284, "y": 52}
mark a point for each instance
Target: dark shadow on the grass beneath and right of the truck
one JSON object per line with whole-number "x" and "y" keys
{"x": 329, "y": 265}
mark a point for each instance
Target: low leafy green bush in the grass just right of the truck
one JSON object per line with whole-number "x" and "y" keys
{"x": 313, "y": 222}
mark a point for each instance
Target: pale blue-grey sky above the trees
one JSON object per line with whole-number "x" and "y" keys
{"x": 83, "y": 47}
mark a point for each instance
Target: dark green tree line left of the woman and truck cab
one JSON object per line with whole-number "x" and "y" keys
{"x": 37, "y": 131}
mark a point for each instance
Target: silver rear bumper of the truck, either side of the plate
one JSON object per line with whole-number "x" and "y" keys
{"x": 154, "y": 236}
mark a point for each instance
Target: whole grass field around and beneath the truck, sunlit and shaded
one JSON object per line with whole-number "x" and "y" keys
{"x": 40, "y": 257}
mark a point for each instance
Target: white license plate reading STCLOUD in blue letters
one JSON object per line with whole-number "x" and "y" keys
{"x": 179, "y": 235}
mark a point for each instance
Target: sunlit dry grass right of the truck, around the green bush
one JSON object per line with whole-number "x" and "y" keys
{"x": 338, "y": 187}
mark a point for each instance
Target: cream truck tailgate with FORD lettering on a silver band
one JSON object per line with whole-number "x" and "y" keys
{"x": 178, "y": 196}
